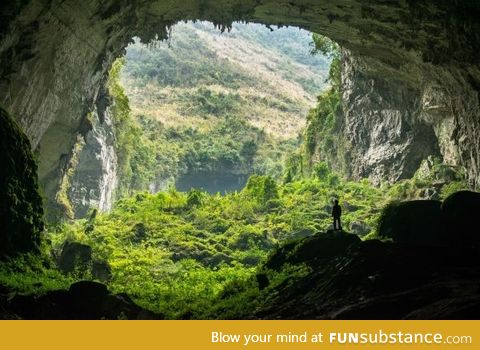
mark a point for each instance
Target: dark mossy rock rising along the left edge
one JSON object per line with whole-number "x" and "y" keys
{"x": 21, "y": 211}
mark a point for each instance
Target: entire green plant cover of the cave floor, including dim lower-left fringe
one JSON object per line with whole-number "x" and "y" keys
{"x": 195, "y": 255}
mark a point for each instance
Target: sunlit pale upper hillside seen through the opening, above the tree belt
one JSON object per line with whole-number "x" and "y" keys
{"x": 272, "y": 76}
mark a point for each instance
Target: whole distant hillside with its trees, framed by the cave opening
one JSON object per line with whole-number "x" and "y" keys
{"x": 211, "y": 108}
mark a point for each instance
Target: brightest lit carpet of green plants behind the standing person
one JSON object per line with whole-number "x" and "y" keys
{"x": 175, "y": 253}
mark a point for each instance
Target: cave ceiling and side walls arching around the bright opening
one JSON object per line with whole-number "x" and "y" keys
{"x": 410, "y": 77}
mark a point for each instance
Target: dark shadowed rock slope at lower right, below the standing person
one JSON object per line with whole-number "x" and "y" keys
{"x": 375, "y": 280}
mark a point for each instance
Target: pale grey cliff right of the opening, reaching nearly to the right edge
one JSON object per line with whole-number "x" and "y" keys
{"x": 391, "y": 126}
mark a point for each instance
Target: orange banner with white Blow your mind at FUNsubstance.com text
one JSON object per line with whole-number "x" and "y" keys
{"x": 328, "y": 335}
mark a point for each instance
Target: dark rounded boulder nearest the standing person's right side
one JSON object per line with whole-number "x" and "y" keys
{"x": 413, "y": 222}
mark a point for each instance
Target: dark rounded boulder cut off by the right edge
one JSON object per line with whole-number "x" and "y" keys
{"x": 459, "y": 212}
